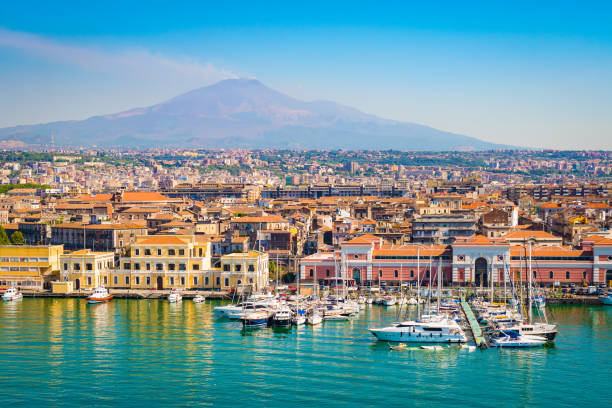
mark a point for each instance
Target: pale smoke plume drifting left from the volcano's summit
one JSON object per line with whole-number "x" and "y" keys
{"x": 137, "y": 63}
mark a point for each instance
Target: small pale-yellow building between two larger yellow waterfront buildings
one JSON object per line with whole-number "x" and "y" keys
{"x": 87, "y": 269}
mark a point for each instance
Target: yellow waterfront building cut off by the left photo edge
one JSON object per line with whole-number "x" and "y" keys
{"x": 30, "y": 267}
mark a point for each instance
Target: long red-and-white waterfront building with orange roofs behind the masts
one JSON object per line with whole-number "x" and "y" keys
{"x": 478, "y": 260}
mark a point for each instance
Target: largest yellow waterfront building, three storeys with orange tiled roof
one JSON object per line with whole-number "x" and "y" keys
{"x": 165, "y": 262}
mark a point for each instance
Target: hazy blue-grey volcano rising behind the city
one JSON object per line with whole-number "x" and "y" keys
{"x": 242, "y": 113}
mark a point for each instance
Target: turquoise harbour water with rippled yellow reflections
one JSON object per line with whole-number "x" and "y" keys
{"x": 62, "y": 352}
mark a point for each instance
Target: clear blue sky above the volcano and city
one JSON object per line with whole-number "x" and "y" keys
{"x": 535, "y": 74}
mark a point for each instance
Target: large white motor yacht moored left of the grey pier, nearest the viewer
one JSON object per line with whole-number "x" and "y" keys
{"x": 435, "y": 331}
